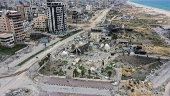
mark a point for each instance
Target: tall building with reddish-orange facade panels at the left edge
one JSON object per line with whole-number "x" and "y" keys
{"x": 11, "y": 22}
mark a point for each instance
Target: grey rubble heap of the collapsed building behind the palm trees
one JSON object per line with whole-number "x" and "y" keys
{"x": 82, "y": 51}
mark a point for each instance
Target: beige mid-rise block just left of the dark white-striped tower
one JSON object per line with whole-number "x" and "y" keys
{"x": 41, "y": 23}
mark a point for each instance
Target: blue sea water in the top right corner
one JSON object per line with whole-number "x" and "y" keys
{"x": 160, "y": 4}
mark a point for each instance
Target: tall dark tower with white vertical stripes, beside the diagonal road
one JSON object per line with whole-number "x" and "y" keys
{"x": 57, "y": 17}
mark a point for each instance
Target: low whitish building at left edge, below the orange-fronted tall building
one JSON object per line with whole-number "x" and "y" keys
{"x": 6, "y": 39}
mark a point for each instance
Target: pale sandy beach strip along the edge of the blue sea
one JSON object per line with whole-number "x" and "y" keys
{"x": 150, "y": 9}
